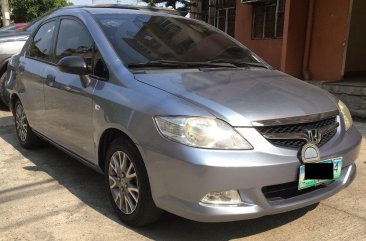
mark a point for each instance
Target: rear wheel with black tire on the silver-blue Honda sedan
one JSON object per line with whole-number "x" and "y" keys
{"x": 25, "y": 134}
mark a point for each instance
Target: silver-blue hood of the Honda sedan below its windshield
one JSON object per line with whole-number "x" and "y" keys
{"x": 243, "y": 96}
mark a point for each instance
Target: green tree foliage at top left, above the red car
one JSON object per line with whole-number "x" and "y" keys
{"x": 28, "y": 10}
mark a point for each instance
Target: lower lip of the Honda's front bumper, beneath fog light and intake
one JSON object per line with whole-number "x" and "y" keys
{"x": 260, "y": 207}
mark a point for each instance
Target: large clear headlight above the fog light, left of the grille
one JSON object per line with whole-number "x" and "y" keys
{"x": 201, "y": 132}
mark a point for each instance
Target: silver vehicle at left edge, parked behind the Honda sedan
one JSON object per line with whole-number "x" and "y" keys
{"x": 11, "y": 42}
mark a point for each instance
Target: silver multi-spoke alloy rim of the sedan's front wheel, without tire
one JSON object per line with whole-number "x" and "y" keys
{"x": 123, "y": 182}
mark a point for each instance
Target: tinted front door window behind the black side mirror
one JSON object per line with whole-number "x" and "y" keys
{"x": 74, "y": 40}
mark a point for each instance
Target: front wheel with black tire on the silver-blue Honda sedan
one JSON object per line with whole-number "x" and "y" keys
{"x": 128, "y": 185}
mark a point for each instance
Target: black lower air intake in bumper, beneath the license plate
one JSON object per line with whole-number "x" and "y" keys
{"x": 285, "y": 191}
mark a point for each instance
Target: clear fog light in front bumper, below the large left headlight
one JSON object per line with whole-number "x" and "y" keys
{"x": 230, "y": 197}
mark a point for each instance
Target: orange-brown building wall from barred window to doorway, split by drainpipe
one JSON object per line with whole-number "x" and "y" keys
{"x": 328, "y": 41}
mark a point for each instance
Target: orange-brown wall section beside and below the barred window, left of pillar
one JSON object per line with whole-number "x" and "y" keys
{"x": 269, "y": 50}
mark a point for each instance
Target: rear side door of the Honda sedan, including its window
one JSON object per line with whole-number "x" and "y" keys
{"x": 32, "y": 74}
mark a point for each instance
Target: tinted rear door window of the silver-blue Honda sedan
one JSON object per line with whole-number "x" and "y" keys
{"x": 41, "y": 45}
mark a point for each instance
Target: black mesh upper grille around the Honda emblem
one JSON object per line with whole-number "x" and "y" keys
{"x": 298, "y": 128}
